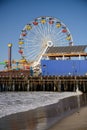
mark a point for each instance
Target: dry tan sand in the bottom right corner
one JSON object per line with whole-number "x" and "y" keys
{"x": 76, "y": 121}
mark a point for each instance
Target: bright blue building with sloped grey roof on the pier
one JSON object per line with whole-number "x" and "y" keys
{"x": 65, "y": 60}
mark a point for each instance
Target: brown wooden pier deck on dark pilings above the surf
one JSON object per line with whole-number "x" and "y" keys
{"x": 22, "y": 81}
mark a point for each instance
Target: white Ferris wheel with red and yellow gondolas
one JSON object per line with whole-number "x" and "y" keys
{"x": 41, "y": 33}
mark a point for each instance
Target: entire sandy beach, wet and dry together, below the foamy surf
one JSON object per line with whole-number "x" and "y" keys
{"x": 44, "y": 118}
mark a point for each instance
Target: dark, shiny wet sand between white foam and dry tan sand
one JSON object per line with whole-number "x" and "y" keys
{"x": 41, "y": 118}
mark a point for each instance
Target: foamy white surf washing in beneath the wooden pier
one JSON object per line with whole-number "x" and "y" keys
{"x": 14, "y": 102}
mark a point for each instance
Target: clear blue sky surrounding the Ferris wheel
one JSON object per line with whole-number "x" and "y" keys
{"x": 15, "y": 14}
